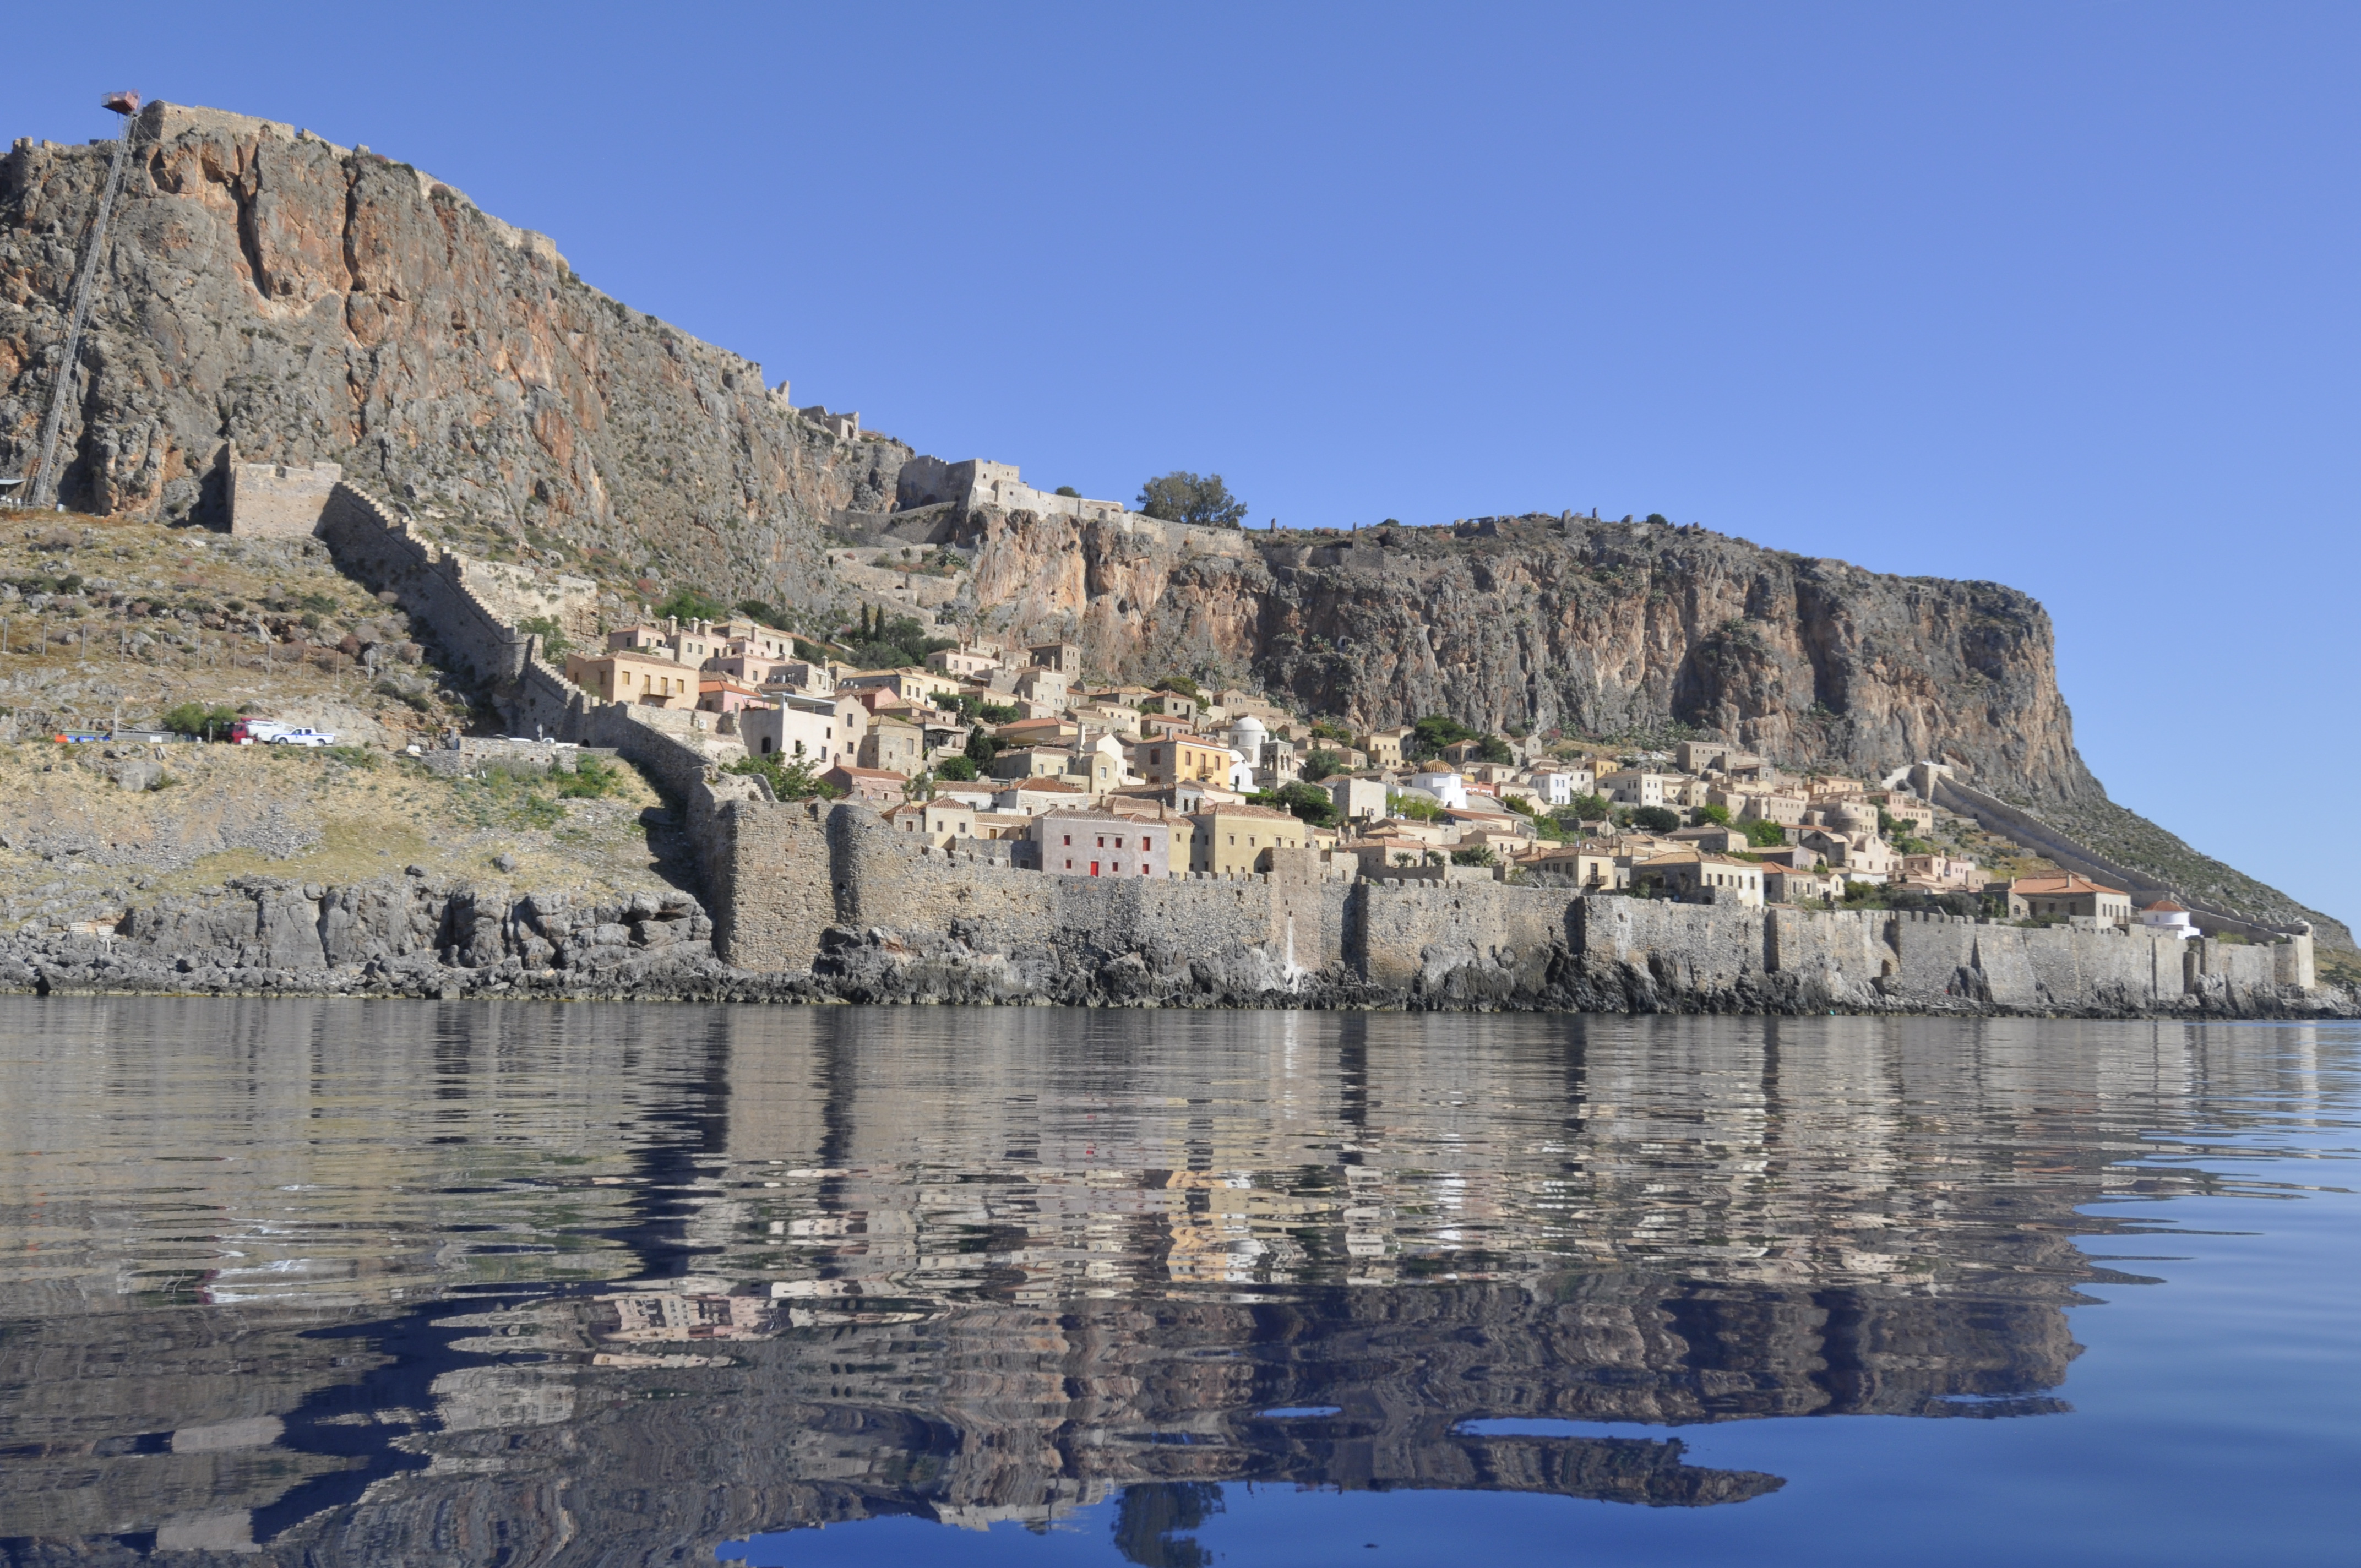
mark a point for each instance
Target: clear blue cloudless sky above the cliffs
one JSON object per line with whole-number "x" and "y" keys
{"x": 2046, "y": 294}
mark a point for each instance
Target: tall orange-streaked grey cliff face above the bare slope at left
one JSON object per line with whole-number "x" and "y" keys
{"x": 318, "y": 303}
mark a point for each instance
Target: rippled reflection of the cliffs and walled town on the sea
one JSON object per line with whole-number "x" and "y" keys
{"x": 410, "y": 1283}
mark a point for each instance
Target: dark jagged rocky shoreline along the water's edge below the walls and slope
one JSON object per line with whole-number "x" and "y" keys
{"x": 414, "y": 939}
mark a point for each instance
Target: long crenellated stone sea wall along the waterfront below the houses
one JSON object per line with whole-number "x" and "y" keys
{"x": 879, "y": 917}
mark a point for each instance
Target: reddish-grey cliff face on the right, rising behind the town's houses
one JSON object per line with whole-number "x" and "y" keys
{"x": 1571, "y": 622}
